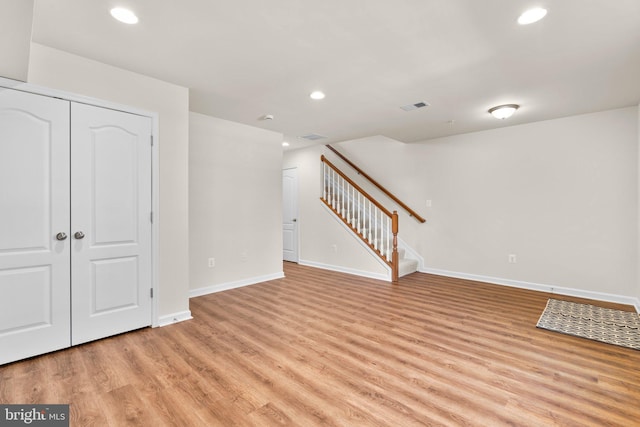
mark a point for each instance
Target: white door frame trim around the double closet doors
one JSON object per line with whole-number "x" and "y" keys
{"x": 155, "y": 177}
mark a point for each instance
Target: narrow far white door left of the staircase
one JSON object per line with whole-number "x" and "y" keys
{"x": 290, "y": 215}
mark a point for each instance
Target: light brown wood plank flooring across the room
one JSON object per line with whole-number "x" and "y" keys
{"x": 324, "y": 348}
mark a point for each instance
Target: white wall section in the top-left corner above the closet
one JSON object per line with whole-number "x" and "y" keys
{"x": 16, "y": 18}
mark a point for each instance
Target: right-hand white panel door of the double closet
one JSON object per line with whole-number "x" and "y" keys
{"x": 110, "y": 223}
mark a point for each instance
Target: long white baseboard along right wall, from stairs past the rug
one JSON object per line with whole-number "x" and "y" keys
{"x": 580, "y": 293}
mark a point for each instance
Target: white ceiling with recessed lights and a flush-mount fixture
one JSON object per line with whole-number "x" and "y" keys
{"x": 243, "y": 59}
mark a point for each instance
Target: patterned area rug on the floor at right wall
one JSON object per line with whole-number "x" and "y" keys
{"x": 588, "y": 321}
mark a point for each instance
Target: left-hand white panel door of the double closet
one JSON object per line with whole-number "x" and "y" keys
{"x": 34, "y": 209}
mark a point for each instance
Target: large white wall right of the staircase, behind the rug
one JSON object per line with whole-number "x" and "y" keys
{"x": 560, "y": 194}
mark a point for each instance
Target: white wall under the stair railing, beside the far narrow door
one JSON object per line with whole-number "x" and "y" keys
{"x": 319, "y": 231}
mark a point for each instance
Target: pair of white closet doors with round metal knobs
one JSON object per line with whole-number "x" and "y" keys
{"x": 75, "y": 226}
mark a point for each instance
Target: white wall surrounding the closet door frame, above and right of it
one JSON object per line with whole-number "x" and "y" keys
{"x": 63, "y": 71}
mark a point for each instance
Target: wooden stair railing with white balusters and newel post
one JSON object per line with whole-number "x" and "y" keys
{"x": 365, "y": 216}
